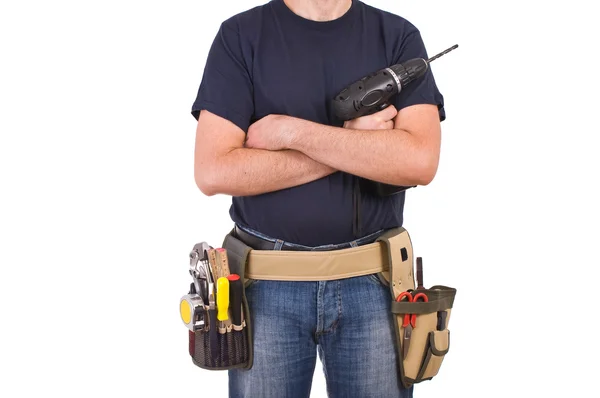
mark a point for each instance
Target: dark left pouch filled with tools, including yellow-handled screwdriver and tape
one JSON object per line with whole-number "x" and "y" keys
{"x": 215, "y": 310}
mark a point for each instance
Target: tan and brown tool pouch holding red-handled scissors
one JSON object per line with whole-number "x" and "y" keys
{"x": 430, "y": 338}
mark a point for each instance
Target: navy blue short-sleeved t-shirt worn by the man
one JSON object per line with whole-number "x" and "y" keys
{"x": 269, "y": 60}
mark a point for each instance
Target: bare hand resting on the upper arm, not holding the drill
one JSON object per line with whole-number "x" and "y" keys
{"x": 272, "y": 132}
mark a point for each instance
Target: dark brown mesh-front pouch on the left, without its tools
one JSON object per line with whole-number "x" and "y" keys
{"x": 234, "y": 347}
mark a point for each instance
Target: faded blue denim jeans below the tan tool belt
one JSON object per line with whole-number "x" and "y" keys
{"x": 347, "y": 322}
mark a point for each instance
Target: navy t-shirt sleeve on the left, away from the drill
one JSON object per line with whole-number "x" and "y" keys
{"x": 226, "y": 87}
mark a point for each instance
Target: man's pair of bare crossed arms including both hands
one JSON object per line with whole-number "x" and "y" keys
{"x": 399, "y": 148}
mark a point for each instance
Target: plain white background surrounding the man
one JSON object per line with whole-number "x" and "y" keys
{"x": 99, "y": 206}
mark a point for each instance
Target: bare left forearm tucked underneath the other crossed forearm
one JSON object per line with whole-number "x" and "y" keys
{"x": 247, "y": 172}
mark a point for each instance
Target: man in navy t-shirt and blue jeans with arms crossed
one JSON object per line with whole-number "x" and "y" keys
{"x": 267, "y": 136}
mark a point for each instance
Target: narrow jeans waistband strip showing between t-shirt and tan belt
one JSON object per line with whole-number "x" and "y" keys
{"x": 259, "y": 241}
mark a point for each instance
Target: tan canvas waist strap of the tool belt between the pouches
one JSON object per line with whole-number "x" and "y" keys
{"x": 317, "y": 266}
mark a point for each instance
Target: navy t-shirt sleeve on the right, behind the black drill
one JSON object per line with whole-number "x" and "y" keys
{"x": 423, "y": 90}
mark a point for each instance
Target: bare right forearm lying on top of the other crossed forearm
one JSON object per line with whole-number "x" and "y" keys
{"x": 389, "y": 156}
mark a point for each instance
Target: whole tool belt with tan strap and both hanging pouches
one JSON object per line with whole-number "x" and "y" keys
{"x": 420, "y": 315}
